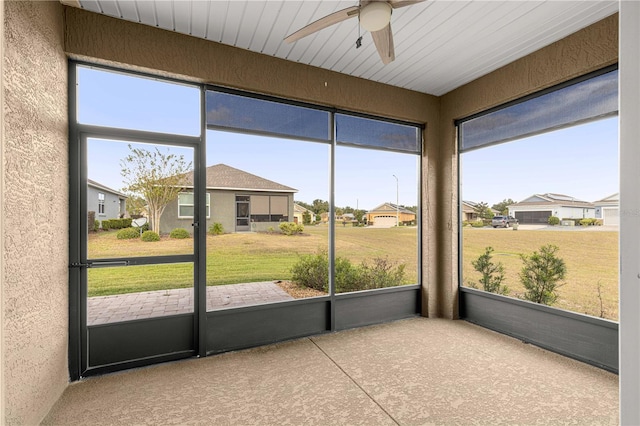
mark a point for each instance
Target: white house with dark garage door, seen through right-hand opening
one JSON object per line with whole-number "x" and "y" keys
{"x": 539, "y": 207}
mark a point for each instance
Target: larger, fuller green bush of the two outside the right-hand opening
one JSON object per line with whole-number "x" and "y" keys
{"x": 541, "y": 275}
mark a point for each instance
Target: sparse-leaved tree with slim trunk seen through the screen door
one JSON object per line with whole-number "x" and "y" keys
{"x": 155, "y": 176}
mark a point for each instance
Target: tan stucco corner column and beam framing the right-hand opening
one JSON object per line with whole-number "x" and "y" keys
{"x": 584, "y": 51}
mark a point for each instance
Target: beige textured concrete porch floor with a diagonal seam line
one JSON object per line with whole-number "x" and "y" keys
{"x": 412, "y": 372}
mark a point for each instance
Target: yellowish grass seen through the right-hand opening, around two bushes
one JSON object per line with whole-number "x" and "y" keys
{"x": 591, "y": 257}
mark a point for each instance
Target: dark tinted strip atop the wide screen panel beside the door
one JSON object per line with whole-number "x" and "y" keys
{"x": 243, "y": 113}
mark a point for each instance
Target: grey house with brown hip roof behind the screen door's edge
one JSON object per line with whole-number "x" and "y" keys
{"x": 240, "y": 201}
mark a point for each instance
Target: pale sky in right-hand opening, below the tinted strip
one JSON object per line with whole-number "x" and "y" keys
{"x": 580, "y": 161}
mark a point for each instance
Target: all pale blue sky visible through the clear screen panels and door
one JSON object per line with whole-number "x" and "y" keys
{"x": 580, "y": 161}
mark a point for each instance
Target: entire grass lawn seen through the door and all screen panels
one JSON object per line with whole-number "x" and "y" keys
{"x": 591, "y": 258}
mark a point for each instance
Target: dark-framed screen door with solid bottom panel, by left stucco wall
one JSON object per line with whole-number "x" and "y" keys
{"x": 136, "y": 269}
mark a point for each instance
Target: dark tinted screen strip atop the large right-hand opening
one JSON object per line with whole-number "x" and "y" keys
{"x": 587, "y": 100}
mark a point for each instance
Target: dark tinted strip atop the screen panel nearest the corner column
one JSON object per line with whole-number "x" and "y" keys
{"x": 376, "y": 133}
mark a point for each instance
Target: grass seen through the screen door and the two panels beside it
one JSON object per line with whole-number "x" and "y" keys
{"x": 242, "y": 257}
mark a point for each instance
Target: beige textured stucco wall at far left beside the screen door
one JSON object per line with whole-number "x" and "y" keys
{"x": 34, "y": 210}
